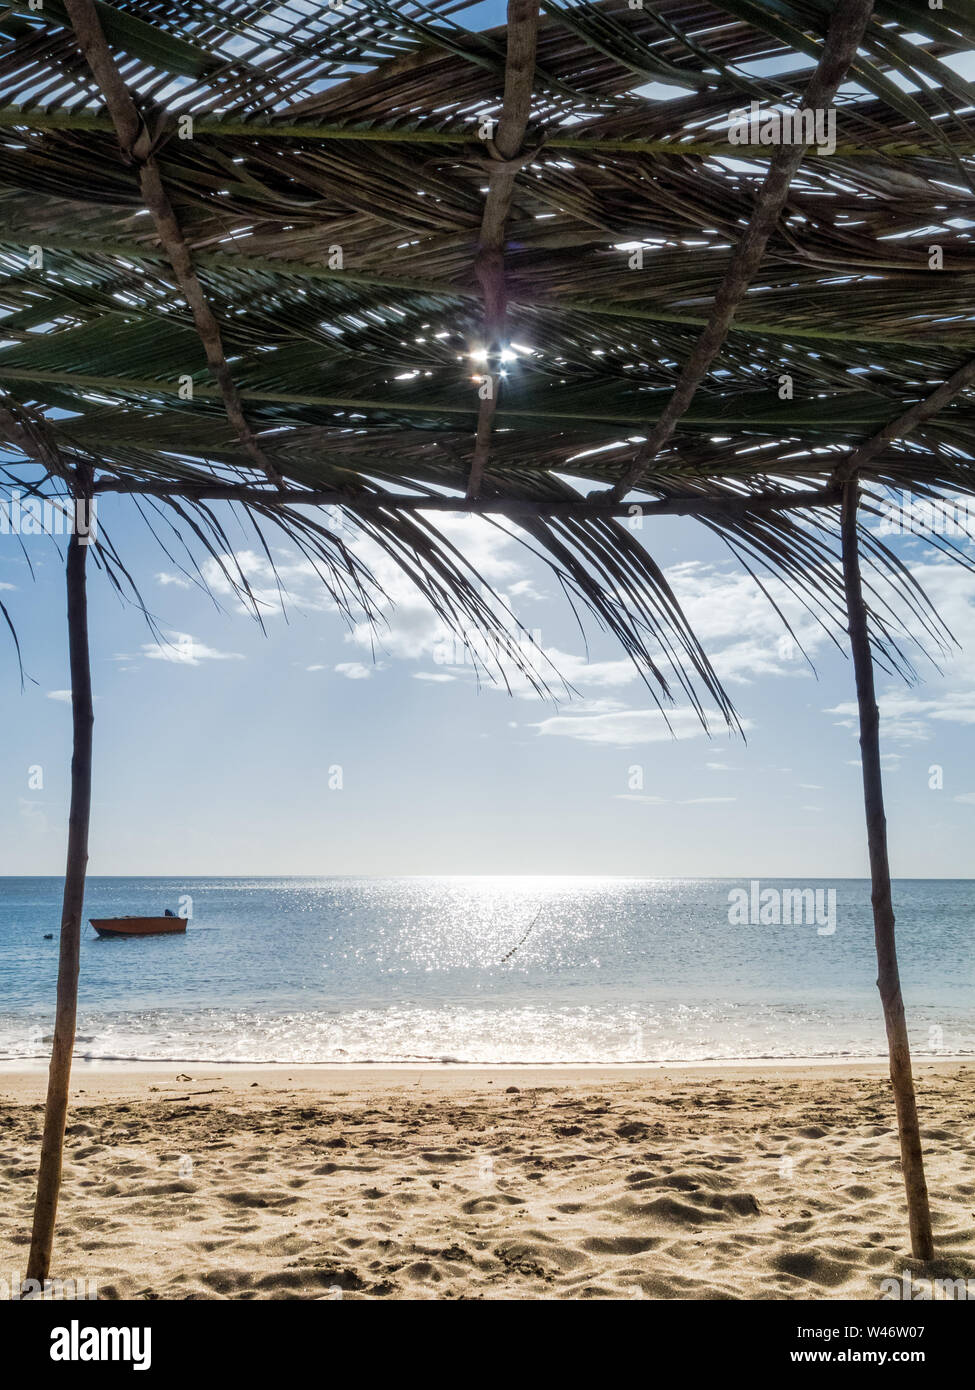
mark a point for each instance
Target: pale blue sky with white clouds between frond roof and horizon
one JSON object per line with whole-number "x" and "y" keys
{"x": 216, "y": 755}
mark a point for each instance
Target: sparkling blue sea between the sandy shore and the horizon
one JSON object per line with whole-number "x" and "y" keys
{"x": 485, "y": 971}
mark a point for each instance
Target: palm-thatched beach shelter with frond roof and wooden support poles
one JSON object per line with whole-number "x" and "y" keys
{"x": 355, "y": 255}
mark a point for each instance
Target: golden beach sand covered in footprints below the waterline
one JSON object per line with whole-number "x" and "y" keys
{"x": 211, "y": 1182}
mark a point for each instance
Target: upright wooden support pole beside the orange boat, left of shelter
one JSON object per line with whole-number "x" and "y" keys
{"x": 59, "y": 1078}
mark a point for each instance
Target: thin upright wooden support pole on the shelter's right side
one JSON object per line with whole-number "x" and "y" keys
{"x": 888, "y": 979}
